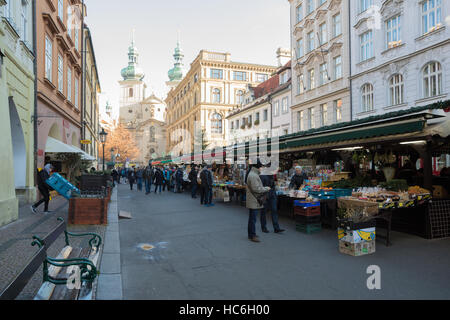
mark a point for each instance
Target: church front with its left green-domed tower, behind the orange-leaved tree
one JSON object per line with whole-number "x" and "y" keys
{"x": 143, "y": 116}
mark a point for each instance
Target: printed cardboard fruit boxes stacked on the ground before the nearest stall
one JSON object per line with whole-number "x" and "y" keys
{"x": 356, "y": 239}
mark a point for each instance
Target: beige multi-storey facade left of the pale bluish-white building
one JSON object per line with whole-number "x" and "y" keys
{"x": 321, "y": 63}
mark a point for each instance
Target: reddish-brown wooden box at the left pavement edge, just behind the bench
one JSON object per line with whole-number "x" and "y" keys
{"x": 88, "y": 211}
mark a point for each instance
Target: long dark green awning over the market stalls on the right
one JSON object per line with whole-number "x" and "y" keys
{"x": 361, "y": 133}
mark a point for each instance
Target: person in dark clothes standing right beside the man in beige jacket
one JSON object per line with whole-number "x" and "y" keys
{"x": 268, "y": 180}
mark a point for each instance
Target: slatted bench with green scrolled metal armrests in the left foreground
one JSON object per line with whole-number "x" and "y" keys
{"x": 81, "y": 264}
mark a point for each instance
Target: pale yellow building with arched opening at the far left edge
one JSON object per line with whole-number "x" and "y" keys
{"x": 17, "y": 107}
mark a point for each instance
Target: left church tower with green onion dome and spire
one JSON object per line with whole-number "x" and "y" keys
{"x": 132, "y": 87}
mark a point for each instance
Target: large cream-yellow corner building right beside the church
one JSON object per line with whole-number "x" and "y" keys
{"x": 202, "y": 100}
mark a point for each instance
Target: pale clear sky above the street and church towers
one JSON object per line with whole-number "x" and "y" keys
{"x": 251, "y": 30}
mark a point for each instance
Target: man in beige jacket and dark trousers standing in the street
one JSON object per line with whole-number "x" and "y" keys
{"x": 255, "y": 190}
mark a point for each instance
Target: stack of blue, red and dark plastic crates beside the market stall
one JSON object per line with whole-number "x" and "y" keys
{"x": 307, "y": 216}
